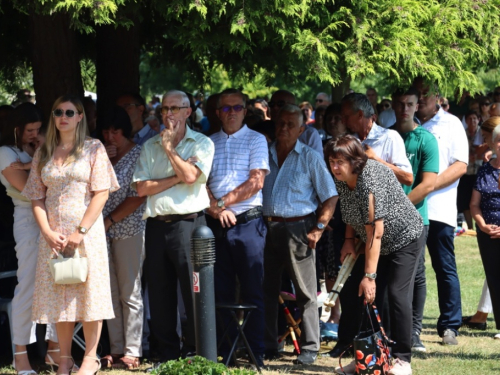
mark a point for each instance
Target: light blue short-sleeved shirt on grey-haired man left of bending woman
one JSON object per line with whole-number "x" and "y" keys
{"x": 293, "y": 190}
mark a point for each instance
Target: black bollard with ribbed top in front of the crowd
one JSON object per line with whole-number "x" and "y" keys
{"x": 203, "y": 260}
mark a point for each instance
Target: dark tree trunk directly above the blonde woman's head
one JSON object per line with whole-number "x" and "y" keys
{"x": 56, "y": 62}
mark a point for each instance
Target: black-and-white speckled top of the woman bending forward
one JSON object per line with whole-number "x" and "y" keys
{"x": 402, "y": 222}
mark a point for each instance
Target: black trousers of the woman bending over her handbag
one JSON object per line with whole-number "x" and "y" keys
{"x": 396, "y": 273}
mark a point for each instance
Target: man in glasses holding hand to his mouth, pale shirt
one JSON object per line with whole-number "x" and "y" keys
{"x": 172, "y": 171}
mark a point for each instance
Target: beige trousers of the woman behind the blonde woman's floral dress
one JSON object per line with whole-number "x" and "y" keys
{"x": 126, "y": 258}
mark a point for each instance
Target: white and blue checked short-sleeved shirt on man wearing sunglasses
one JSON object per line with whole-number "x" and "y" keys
{"x": 235, "y": 156}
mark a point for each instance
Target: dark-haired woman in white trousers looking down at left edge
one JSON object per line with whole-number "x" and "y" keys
{"x": 18, "y": 142}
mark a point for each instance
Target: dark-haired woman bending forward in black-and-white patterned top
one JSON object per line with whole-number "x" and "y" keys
{"x": 374, "y": 206}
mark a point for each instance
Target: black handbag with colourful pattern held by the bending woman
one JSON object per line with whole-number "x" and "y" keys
{"x": 371, "y": 345}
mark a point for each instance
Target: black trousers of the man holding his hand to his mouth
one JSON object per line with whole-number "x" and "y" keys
{"x": 168, "y": 262}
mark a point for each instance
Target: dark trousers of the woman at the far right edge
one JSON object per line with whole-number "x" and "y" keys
{"x": 490, "y": 255}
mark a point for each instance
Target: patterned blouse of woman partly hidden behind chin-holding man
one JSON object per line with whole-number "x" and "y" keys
{"x": 133, "y": 223}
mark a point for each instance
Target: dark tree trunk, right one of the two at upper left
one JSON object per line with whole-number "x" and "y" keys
{"x": 117, "y": 63}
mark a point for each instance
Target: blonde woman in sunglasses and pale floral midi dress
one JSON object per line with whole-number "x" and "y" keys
{"x": 69, "y": 183}
